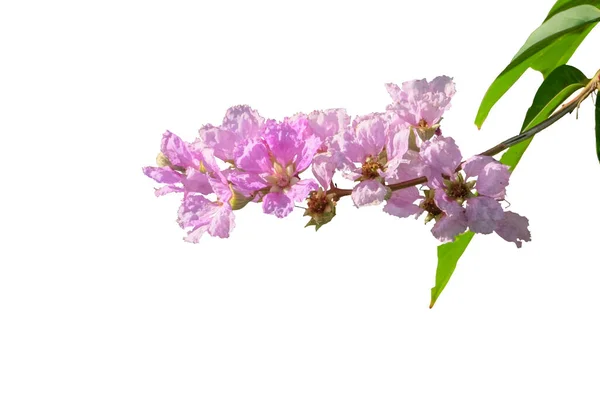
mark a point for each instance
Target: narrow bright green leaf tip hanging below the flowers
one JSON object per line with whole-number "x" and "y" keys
{"x": 448, "y": 256}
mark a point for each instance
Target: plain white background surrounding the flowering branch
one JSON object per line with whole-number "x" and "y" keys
{"x": 101, "y": 299}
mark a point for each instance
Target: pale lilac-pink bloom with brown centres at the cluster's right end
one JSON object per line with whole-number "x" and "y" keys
{"x": 460, "y": 201}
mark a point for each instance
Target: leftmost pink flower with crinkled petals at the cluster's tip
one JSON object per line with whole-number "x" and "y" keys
{"x": 179, "y": 168}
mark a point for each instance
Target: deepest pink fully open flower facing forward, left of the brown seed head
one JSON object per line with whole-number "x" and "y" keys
{"x": 271, "y": 164}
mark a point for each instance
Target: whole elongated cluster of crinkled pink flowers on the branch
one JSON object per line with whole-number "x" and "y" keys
{"x": 252, "y": 159}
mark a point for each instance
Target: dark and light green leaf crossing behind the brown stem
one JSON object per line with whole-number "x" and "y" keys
{"x": 556, "y": 88}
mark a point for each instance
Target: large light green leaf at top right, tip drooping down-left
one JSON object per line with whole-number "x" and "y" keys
{"x": 548, "y": 46}
